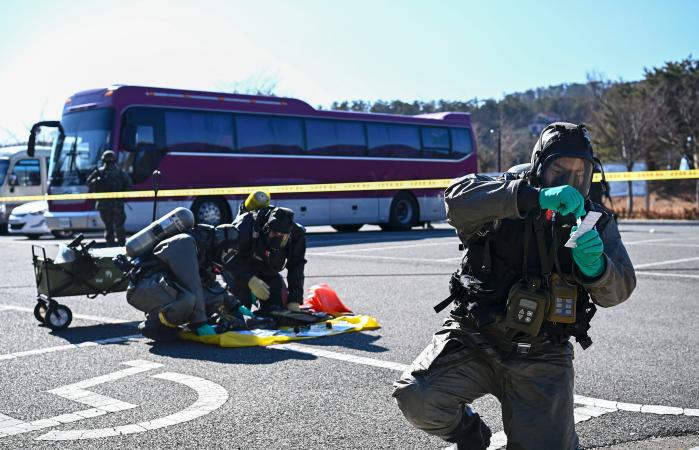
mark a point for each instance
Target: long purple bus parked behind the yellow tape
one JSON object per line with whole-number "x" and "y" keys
{"x": 207, "y": 139}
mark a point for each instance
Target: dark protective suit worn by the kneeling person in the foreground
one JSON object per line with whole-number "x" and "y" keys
{"x": 474, "y": 354}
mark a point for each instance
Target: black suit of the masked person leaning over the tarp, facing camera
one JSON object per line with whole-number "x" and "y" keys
{"x": 254, "y": 258}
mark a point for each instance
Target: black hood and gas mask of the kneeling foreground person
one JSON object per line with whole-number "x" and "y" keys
{"x": 563, "y": 155}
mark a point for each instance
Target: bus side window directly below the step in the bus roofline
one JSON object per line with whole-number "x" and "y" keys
{"x": 335, "y": 138}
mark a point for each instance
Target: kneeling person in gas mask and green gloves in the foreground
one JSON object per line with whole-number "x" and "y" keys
{"x": 519, "y": 296}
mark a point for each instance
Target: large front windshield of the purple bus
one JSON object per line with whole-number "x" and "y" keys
{"x": 87, "y": 135}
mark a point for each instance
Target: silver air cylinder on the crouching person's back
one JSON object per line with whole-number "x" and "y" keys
{"x": 176, "y": 221}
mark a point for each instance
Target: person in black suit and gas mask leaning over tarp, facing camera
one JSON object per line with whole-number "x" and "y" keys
{"x": 269, "y": 241}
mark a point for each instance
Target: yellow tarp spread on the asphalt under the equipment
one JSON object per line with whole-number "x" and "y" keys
{"x": 256, "y": 338}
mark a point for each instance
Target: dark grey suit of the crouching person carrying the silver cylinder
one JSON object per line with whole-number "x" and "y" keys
{"x": 180, "y": 280}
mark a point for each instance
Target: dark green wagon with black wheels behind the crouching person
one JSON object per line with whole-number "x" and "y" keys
{"x": 77, "y": 269}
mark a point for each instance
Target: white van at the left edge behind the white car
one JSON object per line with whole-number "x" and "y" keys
{"x": 21, "y": 174}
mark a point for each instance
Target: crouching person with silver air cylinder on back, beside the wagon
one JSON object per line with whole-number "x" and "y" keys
{"x": 174, "y": 276}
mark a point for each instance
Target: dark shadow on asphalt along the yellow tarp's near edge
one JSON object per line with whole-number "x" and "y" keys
{"x": 247, "y": 355}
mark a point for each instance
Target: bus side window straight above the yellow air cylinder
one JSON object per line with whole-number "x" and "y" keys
{"x": 269, "y": 135}
